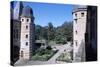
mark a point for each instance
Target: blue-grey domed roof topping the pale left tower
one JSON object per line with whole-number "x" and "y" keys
{"x": 27, "y": 12}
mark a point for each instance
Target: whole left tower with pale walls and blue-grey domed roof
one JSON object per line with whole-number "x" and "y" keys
{"x": 27, "y": 37}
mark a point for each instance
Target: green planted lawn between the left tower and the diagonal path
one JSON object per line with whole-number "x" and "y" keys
{"x": 43, "y": 54}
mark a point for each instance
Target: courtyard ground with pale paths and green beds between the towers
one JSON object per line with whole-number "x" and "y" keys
{"x": 46, "y": 59}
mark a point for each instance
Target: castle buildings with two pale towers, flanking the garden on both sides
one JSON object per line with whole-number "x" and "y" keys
{"x": 84, "y": 33}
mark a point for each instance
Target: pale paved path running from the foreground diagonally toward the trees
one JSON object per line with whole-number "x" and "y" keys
{"x": 52, "y": 60}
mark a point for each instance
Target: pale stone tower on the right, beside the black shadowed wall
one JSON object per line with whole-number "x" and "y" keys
{"x": 79, "y": 29}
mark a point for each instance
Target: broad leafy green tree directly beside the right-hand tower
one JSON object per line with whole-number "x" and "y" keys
{"x": 64, "y": 32}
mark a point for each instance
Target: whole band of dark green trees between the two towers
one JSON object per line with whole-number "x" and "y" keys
{"x": 60, "y": 34}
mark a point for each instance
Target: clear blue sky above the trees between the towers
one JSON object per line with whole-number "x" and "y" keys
{"x": 44, "y": 13}
